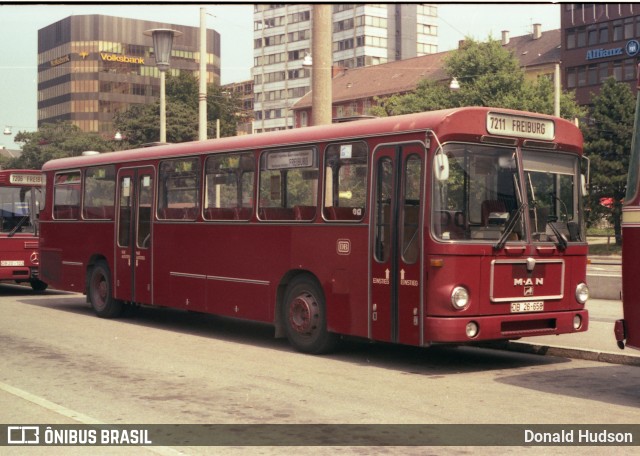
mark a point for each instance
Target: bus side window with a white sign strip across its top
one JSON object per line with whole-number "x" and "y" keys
{"x": 288, "y": 185}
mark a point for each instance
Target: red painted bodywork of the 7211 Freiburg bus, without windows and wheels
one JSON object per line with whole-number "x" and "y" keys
{"x": 240, "y": 269}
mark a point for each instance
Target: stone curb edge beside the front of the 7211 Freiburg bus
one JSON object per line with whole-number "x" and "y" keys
{"x": 564, "y": 352}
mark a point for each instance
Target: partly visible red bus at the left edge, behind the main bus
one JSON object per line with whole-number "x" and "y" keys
{"x": 21, "y": 200}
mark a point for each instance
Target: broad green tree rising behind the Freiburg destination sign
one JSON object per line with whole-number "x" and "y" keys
{"x": 489, "y": 75}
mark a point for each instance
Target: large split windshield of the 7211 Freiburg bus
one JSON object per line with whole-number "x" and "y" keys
{"x": 485, "y": 200}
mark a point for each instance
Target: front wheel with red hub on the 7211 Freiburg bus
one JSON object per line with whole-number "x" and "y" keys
{"x": 305, "y": 317}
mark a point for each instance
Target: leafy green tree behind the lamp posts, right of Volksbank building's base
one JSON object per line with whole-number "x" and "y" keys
{"x": 140, "y": 124}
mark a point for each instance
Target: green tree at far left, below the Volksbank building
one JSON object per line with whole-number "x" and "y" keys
{"x": 55, "y": 140}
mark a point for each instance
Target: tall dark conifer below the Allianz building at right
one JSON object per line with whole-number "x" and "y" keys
{"x": 608, "y": 144}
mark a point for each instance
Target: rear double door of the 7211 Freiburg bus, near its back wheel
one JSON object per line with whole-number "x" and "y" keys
{"x": 133, "y": 265}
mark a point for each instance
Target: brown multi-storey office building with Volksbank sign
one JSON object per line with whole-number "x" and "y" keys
{"x": 92, "y": 66}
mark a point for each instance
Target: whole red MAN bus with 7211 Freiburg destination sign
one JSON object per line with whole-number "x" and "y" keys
{"x": 450, "y": 226}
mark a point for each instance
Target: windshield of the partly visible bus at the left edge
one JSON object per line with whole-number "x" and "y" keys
{"x": 15, "y": 212}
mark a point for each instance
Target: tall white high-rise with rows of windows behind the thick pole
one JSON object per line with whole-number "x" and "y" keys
{"x": 363, "y": 35}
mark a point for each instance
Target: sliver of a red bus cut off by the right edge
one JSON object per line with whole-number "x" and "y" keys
{"x": 628, "y": 329}
